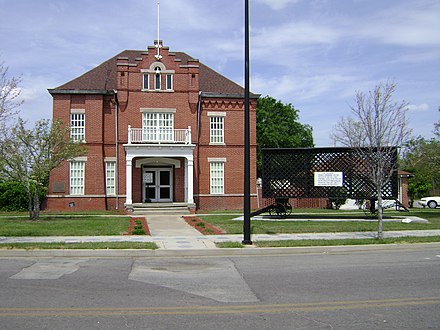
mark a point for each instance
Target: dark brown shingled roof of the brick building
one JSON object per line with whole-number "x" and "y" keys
{"x": 102, "y": 78}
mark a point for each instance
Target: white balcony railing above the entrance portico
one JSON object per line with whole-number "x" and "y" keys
{"x": 160, "y": 135}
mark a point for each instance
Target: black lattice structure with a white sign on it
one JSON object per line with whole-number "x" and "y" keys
{"x": 297, "y": 173}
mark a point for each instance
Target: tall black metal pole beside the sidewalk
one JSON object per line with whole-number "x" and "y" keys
{"x": 247, "y": 167}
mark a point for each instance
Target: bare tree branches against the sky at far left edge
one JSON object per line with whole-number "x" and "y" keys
{"x": 9, "y": 93}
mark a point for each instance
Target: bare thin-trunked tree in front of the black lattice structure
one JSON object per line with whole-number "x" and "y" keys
{"x": 378, "y": 125}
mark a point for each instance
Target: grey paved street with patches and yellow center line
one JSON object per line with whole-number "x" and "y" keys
{"x": 380, "y": 289}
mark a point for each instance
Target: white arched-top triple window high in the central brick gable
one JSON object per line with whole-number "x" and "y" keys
{"x": 152, "y": 78}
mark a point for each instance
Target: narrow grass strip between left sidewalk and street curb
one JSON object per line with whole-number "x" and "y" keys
{"x": 88, "y": 246}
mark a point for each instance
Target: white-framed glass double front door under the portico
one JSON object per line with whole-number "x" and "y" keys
{"x": 157, "y": 185}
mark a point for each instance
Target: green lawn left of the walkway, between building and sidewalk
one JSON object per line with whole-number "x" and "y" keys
{"x": 67, "y": 225}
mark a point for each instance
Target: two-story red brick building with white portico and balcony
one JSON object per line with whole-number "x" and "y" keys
{"x": 160, "y": 127}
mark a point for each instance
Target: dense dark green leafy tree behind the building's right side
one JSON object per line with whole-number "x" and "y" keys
{"x": 278, "y": 127}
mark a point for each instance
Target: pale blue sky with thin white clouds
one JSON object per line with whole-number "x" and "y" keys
{"x": 312, "y": 54}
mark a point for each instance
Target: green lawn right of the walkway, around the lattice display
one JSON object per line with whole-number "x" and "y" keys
{"x": 300, "y": 225}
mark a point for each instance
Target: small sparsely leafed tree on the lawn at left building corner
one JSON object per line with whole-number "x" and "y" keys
{"x": 30, "y": 154}
